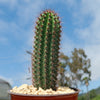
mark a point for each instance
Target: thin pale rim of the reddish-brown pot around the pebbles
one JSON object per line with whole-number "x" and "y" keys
{"x": 46, "y": 95}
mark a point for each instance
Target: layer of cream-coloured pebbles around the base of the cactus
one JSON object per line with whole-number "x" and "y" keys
{"x": 30, "y": 89}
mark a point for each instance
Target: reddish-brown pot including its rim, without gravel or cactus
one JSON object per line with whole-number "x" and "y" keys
{"x": 71, "y": 96}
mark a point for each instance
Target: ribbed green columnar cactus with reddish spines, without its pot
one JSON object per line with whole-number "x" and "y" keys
{"x": 45, "y": 60}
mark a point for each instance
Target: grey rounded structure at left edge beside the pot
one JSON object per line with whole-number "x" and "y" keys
{"x": 4, "y": 87}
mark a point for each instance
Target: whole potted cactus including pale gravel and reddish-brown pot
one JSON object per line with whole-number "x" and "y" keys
{"x": 45, "y": 62}
